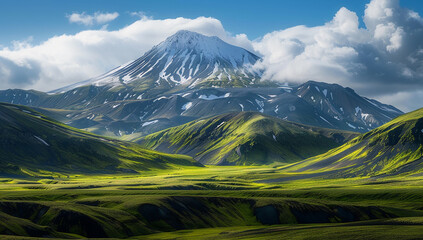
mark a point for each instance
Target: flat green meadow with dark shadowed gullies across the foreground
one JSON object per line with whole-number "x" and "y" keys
{"x": 214, "y": 202}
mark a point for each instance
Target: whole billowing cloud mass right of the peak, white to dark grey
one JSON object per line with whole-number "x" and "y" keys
{"x": 383, "y": 58}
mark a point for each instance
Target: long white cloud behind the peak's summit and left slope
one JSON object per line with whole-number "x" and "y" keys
{"x": 66, "y": 59}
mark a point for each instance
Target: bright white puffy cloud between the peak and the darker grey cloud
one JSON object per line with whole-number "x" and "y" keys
{"x": 300, "y": 53}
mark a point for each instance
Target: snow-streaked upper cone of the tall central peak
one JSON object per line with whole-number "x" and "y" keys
{"x": 185, "y": 58}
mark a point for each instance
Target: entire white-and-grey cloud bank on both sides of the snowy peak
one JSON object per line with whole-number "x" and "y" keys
{"x": 383, "y": 59}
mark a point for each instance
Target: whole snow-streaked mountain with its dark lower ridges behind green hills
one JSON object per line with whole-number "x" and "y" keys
{"x": 191, "y": 76}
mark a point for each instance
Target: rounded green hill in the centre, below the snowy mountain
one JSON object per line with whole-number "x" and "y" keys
{"x": 246, "y": 138}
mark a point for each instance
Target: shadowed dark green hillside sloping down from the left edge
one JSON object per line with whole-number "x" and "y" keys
{"x": 33, "y": 144}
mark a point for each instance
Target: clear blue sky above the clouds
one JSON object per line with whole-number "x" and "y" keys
{"x": 20, "y": 19}
